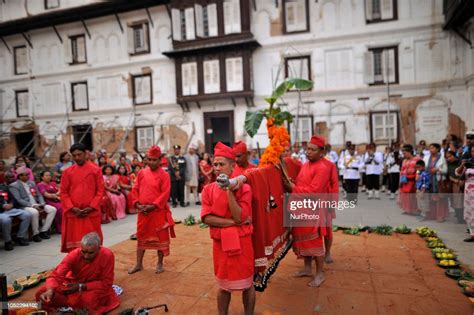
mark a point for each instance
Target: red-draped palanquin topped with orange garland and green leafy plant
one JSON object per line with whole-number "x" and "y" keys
{"x": 270, "y": 238}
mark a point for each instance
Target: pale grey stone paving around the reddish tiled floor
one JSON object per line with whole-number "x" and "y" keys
{"x": 40, "y": 256}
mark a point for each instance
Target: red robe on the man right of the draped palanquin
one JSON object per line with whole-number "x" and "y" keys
{"x": 313, "y": 178}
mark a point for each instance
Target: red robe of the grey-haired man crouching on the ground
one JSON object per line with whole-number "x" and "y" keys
{"x": 97, "y": 275}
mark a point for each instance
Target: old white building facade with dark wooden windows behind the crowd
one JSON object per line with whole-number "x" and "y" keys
{"x": 131, "y": 74}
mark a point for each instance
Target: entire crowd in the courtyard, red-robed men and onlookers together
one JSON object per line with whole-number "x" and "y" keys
{"x": 85, "y": 189}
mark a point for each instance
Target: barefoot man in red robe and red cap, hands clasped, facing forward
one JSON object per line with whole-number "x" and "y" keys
{"x": 154, "y": 221}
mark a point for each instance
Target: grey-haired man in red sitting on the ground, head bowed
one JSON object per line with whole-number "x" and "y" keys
{"x": 83, "y": 280}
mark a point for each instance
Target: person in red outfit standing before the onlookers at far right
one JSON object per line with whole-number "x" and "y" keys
{"x": 407, "y": 197}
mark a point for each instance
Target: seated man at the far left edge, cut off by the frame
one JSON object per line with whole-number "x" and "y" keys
{"x": 9, "y": 210}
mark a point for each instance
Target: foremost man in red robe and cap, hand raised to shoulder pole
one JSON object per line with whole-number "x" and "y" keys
{"x": 229, "y": 213}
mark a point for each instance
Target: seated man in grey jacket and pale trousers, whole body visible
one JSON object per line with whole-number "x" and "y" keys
{"x": 28, "y": 197}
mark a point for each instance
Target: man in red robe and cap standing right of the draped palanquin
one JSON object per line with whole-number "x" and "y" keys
{"x": 308, "y": 240}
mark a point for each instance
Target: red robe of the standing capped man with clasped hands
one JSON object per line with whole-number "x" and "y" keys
{"x": 154, "y": 229}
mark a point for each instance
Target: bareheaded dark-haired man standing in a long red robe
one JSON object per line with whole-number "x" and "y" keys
{"x": 82, "y": 189}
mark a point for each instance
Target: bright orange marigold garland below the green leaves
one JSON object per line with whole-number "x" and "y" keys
{"x": 279, "y": 139}
